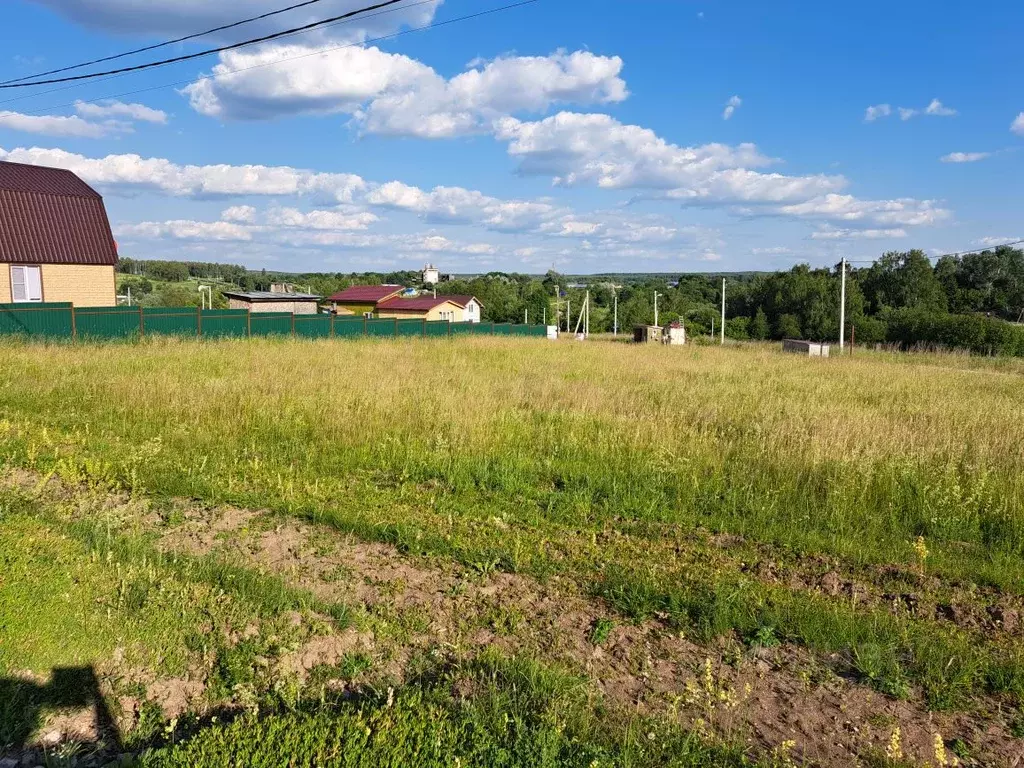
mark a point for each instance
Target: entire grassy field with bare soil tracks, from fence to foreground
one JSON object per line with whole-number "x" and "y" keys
{"x": 691, "y": 541}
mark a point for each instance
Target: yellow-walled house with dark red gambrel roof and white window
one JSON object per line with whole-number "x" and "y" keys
{"x": 56, "y": 240}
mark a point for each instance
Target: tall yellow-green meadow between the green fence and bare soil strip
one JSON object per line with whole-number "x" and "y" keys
{"x": 590, "y": 457}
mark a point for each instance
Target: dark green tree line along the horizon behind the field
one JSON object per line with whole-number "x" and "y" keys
{"x": 974, "y": 302}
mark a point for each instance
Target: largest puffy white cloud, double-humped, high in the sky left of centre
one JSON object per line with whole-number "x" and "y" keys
{"x": 394, "y": 95}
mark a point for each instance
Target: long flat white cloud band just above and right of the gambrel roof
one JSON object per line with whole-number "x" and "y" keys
{"x": 130, "y": 174}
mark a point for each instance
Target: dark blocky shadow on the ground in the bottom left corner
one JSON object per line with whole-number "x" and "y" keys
{"x": 24, "y": 706}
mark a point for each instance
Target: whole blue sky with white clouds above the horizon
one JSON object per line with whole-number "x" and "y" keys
{"x": 604, "y": 137}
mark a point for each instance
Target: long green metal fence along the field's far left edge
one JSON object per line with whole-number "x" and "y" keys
{"x": 64, "y": 321}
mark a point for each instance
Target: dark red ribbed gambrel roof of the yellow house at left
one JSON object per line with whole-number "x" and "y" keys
{"x": 51, "y": 217}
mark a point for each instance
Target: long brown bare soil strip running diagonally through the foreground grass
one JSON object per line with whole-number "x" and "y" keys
{"x": 762, "y": 697}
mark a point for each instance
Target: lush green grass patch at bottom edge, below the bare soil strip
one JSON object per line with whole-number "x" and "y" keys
{"x": 520, "y": 715}
